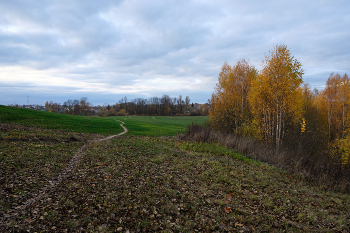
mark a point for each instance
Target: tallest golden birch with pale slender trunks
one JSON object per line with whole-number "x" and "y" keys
{"x": 276, "y": 95}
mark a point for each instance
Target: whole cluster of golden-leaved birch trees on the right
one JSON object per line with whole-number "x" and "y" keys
{"x": 277, "y": 107}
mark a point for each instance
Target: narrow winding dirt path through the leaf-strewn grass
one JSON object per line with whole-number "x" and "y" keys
{"x": 42, "y": 195}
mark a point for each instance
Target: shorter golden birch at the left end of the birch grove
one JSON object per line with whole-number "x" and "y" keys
{"x": 230, "y": 107}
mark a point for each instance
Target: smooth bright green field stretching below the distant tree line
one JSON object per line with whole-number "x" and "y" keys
{"x": 137, "y": 125}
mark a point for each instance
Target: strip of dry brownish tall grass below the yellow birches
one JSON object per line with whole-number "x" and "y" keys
{"x": 322, "y": 169}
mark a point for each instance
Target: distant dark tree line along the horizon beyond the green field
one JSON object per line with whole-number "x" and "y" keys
{"x": 155, "y": 106}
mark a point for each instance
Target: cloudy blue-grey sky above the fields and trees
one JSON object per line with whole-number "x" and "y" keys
{"x": 55, "y": 50}
